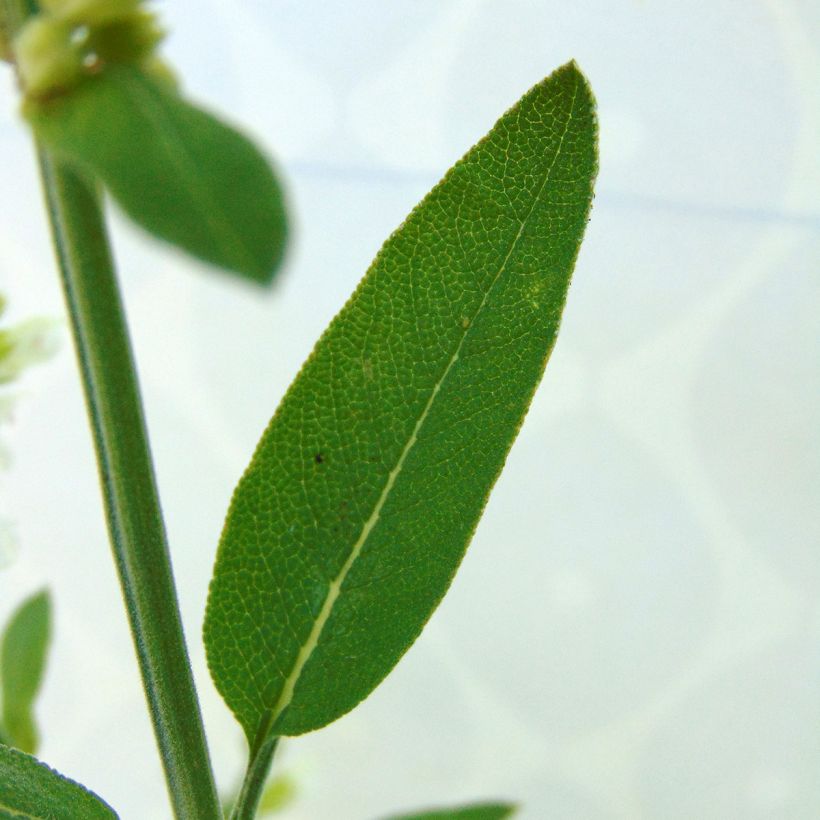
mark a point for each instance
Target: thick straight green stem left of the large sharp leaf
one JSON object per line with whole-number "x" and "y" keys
{"x": 135, "y": 521}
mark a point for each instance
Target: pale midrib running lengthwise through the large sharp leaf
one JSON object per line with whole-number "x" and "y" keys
{"x": 334, "y": 588}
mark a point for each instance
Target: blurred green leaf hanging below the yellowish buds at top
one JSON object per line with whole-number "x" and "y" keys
{"x": 177, "y": 171}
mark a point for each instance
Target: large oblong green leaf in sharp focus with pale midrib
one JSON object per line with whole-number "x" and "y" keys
{"x": 351, "y": 520}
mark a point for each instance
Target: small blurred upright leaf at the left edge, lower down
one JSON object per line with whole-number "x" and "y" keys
{"x": 22, "y": 663}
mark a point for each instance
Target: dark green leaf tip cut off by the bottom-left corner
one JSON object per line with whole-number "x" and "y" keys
{"x": 30, "y": 789}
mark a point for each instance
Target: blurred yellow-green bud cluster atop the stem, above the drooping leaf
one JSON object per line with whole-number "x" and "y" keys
{"x": 72, "y": 39}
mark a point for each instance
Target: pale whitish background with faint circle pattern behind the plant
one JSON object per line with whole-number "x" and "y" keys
{"x": 634, "y": 633}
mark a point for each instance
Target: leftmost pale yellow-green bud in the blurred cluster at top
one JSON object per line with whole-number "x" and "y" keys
{"x": 47, "y": 59}
